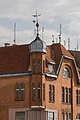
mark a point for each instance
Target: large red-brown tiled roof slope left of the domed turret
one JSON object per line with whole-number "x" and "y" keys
{"x": 14, "y": 59}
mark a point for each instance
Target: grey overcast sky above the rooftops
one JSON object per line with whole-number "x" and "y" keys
{"x": 53, "y": 13}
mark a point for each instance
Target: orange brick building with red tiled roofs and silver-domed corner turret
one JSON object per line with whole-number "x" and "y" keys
{"x": 39, "y": 82}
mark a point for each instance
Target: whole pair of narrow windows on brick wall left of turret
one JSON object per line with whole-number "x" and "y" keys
{"x": 19, "y": 91}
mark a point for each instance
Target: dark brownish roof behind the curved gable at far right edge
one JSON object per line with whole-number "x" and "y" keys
{"x": 76, "y": 55}
